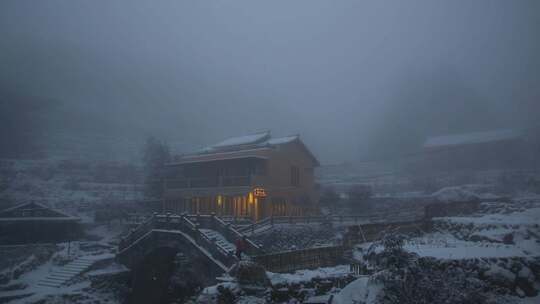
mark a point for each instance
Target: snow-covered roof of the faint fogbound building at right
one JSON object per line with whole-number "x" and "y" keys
{"x": 470, "y": 138}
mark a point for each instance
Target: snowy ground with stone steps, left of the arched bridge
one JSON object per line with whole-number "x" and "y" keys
{"x": 75, "y": 265}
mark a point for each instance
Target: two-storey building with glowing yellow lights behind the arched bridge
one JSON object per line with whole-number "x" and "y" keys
{"x": 252, "y": 176}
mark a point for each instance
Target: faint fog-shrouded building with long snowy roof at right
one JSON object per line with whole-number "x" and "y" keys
{"x": 497, "y": 149}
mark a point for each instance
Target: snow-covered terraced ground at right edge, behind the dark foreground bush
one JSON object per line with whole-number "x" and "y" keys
{"x": 511, "y": 231}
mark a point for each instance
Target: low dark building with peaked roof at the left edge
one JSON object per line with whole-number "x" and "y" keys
{"x": 36, "y": 223}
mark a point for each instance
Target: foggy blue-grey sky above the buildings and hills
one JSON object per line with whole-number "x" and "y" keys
{"x": 357, "y": 79}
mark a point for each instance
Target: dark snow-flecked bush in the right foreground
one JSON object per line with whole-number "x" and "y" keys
{"x": 408, "y": 279}
